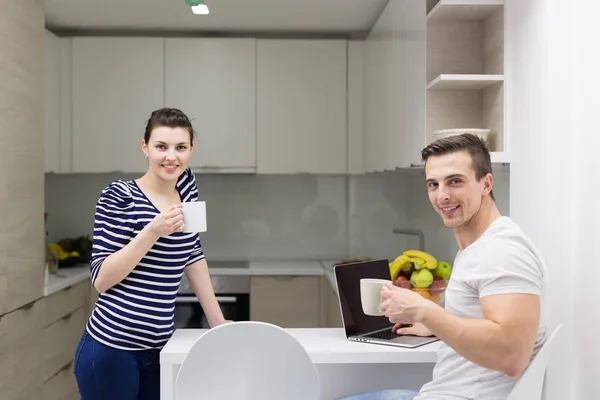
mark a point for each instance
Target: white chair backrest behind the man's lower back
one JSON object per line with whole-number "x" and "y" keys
{"x": 531, "y": 383}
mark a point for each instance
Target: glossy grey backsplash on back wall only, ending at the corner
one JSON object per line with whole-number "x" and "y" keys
{"x": 248, "y": 216}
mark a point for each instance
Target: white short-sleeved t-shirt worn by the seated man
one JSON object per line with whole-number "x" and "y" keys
{"x": 501, "y": 261}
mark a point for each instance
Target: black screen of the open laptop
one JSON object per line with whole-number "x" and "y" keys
{"x": 348, "y": 278}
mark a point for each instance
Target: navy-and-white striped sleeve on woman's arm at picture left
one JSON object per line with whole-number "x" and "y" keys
{"x": 114, "y": 224}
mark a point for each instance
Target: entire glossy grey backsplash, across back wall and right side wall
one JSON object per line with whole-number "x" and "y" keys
{"x": 260, "y": 217}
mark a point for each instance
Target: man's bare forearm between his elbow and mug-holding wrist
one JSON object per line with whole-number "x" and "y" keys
{"x": 480, "y": 341}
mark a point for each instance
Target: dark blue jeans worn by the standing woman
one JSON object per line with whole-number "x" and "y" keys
{"x": 106, "y": 373}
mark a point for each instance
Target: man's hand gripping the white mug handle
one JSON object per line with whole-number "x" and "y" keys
{"x": 403, "y": 305}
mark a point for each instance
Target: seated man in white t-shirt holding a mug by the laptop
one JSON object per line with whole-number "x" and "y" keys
{"x": 494, "y": 319}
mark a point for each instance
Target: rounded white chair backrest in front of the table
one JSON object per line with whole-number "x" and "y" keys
{"x": 247, "y": 360}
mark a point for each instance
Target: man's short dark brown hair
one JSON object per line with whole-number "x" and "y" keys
{"x": 472, "y": 144}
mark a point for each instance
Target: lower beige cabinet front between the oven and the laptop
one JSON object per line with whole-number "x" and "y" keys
{"x": 286, "y": 301}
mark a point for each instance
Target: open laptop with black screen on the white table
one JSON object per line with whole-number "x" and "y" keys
{"x": 364, "y": 328}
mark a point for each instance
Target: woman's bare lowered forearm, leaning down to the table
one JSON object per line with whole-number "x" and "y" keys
{"x": 199, "y": 277}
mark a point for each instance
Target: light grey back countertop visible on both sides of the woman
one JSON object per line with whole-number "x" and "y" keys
{"x": 68, "y": 276}
